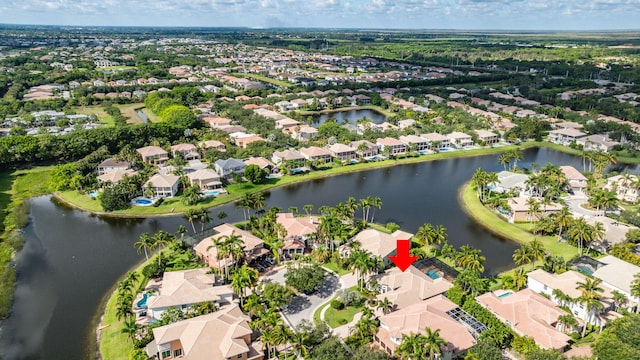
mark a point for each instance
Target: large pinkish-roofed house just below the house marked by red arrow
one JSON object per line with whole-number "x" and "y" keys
{"x": 437, "y": 312}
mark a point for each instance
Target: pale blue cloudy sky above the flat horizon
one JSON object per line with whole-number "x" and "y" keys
{"x": 395, "y": 14}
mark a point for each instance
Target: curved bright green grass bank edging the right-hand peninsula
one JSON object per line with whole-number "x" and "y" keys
{"x": 516, "y": 232}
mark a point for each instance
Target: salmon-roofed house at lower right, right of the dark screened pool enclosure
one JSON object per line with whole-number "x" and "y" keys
{"x": 528, "y": 314}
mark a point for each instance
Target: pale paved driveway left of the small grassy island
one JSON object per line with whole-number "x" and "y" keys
{"x": 303, "y": 306}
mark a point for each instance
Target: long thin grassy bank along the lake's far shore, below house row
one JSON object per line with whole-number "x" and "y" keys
{"x": 236, "y": 191}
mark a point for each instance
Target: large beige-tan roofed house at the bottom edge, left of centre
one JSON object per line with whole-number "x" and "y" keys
{"x": 224, "y": 334}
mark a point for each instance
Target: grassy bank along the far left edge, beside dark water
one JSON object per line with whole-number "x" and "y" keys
{"x": 16, "y": 187}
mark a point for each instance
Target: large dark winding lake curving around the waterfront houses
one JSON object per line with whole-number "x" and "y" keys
{"x": 71, "y": 260}
